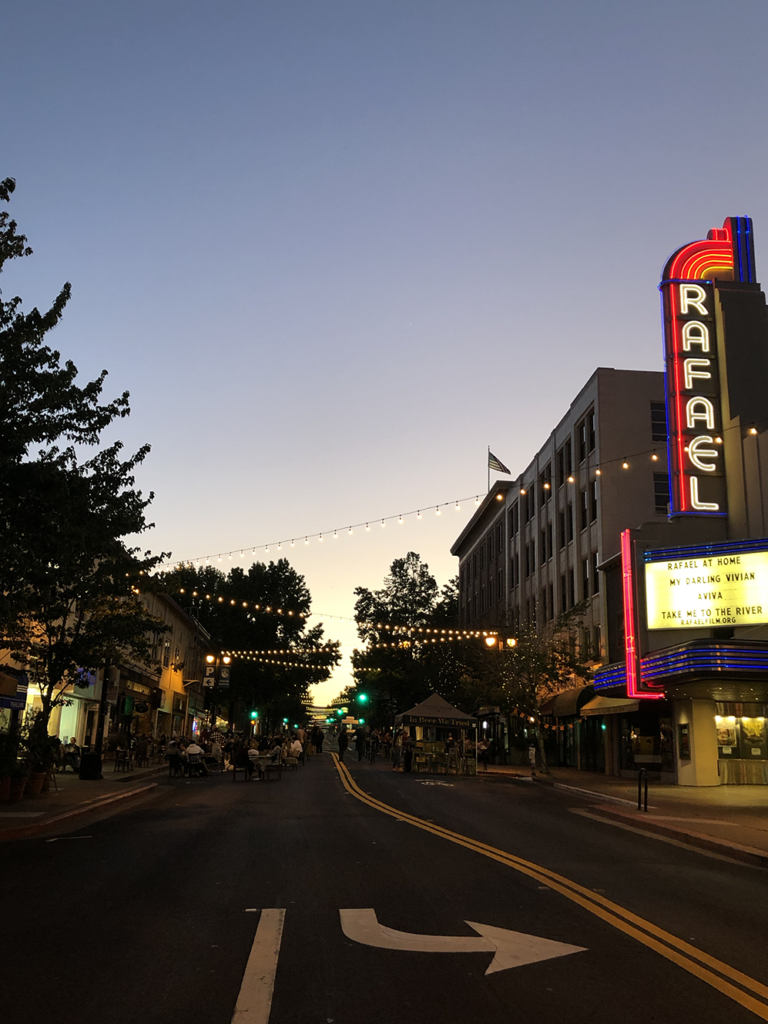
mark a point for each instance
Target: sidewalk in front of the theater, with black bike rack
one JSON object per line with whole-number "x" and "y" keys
{"x": 732, "y": 821}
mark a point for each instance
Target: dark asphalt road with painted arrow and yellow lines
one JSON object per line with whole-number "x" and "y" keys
{"x": 157, "y": 915}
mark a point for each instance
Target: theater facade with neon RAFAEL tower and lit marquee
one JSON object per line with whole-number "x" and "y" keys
{"x": 688, "y": 599}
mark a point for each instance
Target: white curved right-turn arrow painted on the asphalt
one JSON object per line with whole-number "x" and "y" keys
{"x": 510, "y": 949}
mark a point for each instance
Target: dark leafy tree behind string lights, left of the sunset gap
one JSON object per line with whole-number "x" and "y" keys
{"x": 274, "y": 685}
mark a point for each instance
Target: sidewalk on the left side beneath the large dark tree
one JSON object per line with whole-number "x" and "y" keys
{"x": 75, "y": 798}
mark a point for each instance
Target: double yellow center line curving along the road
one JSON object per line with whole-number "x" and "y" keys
{"x": 708, "y": 969}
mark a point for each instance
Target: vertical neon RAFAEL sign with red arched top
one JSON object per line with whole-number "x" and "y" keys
{"x": 694, "y": 351}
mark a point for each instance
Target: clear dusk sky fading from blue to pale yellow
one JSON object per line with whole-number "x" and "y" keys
{"x": 334, "y": 250}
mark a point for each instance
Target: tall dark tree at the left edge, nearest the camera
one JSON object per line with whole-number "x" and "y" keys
{"x": 68, "y": 579}
